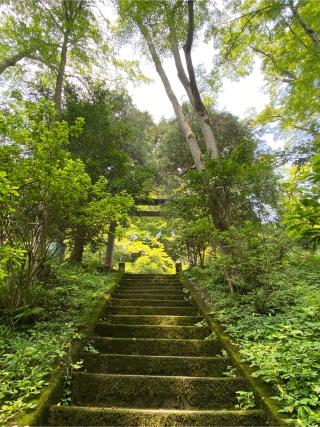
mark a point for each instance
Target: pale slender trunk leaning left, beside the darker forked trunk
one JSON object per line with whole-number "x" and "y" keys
{"x": 182, "y": 121}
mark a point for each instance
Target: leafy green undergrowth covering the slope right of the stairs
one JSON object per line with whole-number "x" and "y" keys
{"x": 277, "y": 329}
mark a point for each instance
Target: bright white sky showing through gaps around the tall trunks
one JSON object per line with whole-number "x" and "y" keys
{"x": 239, "y": 98}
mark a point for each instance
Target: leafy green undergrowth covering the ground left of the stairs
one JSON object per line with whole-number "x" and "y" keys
{"x": 34, "y": 340}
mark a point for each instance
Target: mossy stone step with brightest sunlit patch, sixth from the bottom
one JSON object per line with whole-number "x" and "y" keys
{"x": 153, "y": 320}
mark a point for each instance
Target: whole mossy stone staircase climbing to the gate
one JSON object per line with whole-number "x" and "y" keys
{"x": 154, "y": 366}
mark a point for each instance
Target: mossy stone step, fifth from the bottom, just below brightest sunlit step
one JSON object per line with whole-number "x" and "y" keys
{"x": 152, "y": 331}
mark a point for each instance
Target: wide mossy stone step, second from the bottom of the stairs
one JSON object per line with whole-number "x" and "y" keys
{"x": 148, "y": 391}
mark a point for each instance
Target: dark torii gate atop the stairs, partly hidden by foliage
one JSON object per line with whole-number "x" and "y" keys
{"x": 135, "y": 212}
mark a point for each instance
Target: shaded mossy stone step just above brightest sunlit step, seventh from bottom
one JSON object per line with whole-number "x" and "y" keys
{"x": 175, "y": 311}
